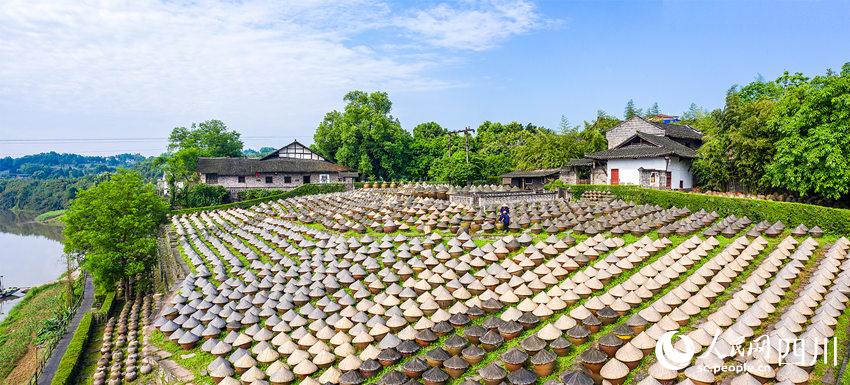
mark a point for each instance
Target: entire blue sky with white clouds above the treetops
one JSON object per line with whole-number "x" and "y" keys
{"x": 124, "y": 74}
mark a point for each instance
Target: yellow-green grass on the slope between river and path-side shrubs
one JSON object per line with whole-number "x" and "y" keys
{"x": 20, "y": 329}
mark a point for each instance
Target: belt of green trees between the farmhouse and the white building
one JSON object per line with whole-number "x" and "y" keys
{"x": 366, "y": 137}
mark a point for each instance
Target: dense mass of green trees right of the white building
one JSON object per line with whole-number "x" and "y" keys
{"x": 785, "y": 135}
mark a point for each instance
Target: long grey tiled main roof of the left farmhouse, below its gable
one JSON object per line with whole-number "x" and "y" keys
{"x": 250, "y": 166}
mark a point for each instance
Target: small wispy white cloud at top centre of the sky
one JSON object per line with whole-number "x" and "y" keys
{"x": 477, "y": 26}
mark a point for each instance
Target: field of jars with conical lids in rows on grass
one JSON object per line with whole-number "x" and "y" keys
{"x": 379, "y": 287}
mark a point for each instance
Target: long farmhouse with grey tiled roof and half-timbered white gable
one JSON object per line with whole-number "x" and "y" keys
{"x": 288, "y": 167}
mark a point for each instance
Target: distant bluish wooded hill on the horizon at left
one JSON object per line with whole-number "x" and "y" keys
{"x": 53, "y": 165}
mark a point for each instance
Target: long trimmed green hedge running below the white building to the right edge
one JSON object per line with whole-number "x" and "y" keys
{"x": 831, "y": 220}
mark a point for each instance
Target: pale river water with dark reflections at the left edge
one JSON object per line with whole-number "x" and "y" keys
{"x": 30, "y": 254}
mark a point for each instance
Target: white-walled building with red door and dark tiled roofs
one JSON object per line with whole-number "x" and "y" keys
{"x": 641, "y": 152}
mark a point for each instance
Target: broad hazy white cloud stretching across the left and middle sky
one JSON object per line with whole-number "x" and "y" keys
{"x": 209, "y": 58}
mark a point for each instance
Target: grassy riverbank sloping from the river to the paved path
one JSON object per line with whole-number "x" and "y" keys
{"x": 30, "y": 329}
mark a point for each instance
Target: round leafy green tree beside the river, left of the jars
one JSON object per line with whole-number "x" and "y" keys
{"x": 114, "y": 225}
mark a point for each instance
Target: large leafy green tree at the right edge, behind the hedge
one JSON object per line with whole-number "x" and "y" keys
{"x": 813, "y": 122}
